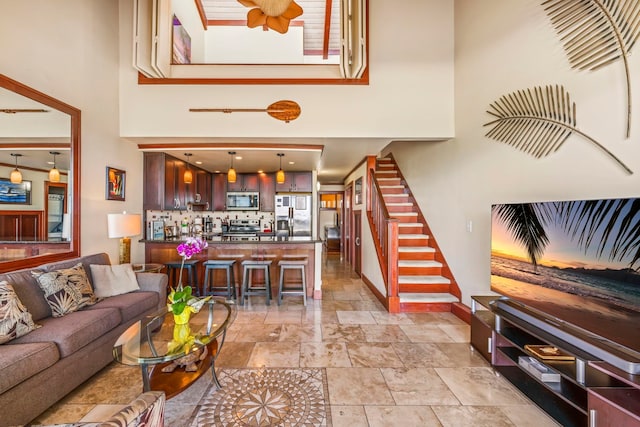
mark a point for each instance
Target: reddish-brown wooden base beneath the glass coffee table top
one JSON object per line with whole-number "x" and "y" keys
{"x": 173, "y": 383}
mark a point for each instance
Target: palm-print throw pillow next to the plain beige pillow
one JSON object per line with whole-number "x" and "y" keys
{"x": 66, "y": 290}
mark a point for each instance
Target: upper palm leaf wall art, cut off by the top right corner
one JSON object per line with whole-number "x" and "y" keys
{"x": 596, "y": 33}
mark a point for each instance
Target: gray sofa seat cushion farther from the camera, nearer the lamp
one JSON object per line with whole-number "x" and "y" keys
{"x": 75, "y": 330}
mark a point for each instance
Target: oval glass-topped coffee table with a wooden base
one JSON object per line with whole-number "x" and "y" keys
{"x": 172, "y": 357}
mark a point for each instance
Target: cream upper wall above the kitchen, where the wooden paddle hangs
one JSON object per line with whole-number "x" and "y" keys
{"x": 410, "y": 94}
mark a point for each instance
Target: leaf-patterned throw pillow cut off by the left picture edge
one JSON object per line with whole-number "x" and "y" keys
{"x": 15, "y": 320}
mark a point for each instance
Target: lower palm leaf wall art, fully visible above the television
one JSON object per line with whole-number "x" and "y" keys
{"x": 538, "y": 121}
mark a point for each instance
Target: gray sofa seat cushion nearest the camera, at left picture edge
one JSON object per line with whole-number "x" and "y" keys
{"x": 21, "y": 361}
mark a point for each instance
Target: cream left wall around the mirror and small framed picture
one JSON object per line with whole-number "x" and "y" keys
{"x": 69, "y": 50}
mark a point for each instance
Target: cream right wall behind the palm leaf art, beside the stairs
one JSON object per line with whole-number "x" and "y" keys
{"x": 457, "y": 181}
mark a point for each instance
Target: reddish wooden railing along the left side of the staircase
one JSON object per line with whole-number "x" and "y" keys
{"x": 385, "y": 236}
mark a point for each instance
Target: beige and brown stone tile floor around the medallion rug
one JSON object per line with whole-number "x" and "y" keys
{"x": 382, "y": 369}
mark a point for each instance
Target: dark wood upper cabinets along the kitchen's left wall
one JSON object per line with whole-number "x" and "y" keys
{"x": 163, "y": 183}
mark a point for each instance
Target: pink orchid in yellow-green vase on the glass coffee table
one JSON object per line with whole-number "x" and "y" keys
{"x": 181, "y": 302}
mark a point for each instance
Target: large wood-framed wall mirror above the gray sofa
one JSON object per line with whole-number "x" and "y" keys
{"x": 39, "y": 216}
